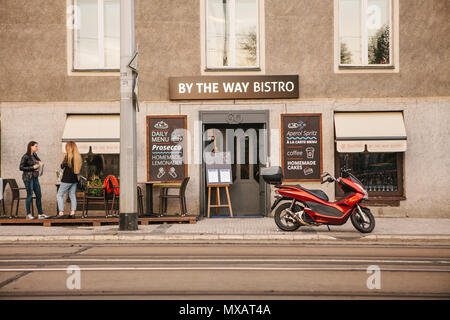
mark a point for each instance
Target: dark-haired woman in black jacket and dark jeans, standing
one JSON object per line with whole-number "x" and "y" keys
{"x": 30, "y": 164}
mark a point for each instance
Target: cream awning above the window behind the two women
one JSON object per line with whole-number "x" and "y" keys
{"x": 99, "y": 132}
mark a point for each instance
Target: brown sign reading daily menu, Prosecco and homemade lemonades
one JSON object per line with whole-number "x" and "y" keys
{"x": 166, "y": 152}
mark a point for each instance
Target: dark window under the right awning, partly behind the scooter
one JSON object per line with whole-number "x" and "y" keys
{"x": 380, "y": 173}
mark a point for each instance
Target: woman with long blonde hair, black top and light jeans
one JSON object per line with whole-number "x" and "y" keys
{"x": 72, "y": 166}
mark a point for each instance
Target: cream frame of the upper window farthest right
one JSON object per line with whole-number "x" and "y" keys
{"x": 394, "y": 50}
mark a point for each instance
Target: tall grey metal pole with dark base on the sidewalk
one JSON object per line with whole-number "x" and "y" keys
{"x": 128, "y": 170}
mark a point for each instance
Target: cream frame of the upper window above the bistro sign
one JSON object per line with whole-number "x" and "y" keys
{"x": 260, "y": 57}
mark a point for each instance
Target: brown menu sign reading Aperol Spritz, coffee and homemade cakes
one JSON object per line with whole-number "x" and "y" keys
{"x": 301, "y": 136}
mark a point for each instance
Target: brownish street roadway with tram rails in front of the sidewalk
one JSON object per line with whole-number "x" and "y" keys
{"x": 112, "y": 271}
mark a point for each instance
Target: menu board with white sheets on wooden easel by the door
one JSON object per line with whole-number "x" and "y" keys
{"x": 218, "y": 168}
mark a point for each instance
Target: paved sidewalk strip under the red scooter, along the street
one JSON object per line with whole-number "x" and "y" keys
{"x": 404, "y": 230}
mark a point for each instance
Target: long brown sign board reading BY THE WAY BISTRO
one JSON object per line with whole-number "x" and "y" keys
{"x": 234, "y": 87}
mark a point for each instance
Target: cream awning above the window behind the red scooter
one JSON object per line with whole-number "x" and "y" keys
{"x": 378, "y": 131}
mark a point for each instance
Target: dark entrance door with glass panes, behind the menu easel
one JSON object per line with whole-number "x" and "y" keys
{"x": 244, "y": 142}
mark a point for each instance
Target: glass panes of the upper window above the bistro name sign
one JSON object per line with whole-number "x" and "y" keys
{"x": 232, "y": 34}
